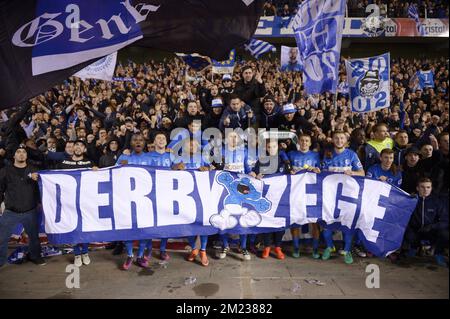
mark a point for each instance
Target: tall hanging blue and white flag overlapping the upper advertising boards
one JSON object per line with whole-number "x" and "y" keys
{"x": 318, "y": 28}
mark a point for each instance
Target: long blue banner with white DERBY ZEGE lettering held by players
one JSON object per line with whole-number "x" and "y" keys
{"x": 139, "y": 202}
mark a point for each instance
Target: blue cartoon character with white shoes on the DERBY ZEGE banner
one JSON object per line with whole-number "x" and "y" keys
{"x": 240, "y": 191}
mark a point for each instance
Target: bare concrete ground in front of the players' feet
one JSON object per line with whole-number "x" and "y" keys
{"x": 228, "y": 278}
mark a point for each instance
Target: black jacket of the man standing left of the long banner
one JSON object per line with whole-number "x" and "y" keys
{"x": 17, "y": 189}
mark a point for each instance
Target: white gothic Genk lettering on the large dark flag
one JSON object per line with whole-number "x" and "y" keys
{"x": 45, "y": 27}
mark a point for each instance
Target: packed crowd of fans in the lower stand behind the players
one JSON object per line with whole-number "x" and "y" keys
{"x": 153, "y": 98}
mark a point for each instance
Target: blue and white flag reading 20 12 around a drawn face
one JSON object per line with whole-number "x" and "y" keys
{"x": 369, "y": 83}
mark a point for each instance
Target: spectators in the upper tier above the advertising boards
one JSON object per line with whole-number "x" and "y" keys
{"x": 356, "y": 8}
